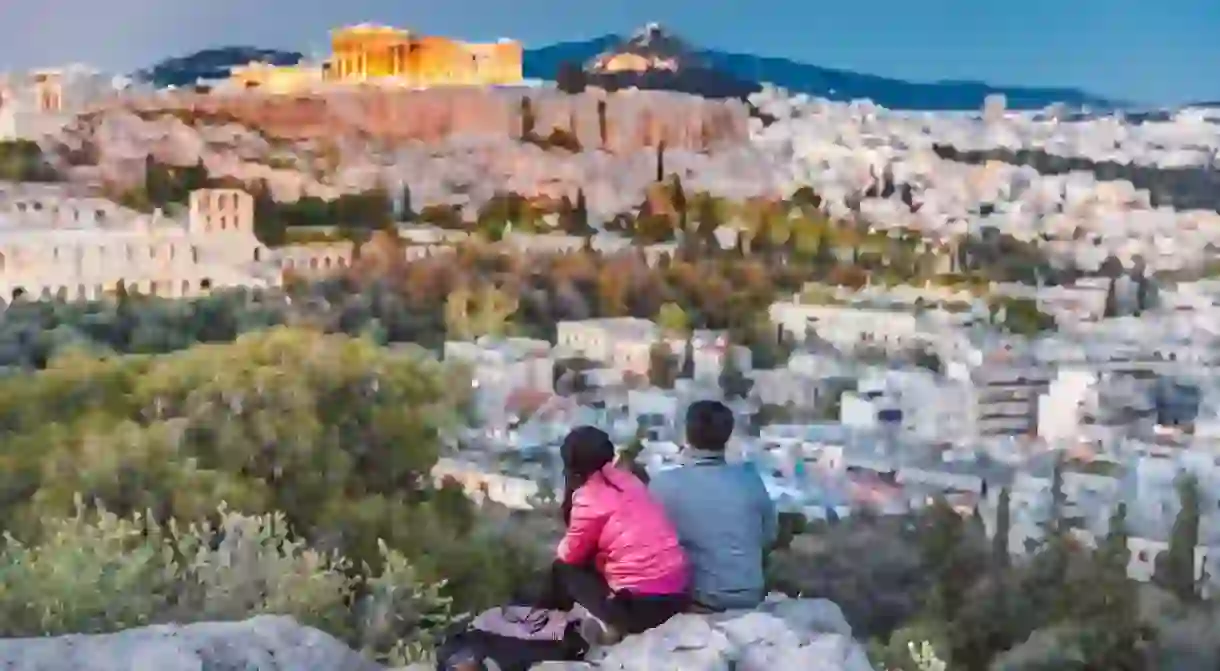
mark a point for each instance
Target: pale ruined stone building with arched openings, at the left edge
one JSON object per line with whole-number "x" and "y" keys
{"x": 59, "y": 248}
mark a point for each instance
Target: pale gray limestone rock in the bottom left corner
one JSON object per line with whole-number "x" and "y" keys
{"x": 265, "y": 644}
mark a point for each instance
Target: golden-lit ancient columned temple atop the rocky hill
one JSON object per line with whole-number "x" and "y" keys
{"x": 386, "y": 56}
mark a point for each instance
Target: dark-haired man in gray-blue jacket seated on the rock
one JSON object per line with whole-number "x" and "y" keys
{"x": 723, "y": 513}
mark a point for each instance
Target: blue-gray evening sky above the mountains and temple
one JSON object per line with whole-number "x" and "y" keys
{"x": 1151, "y": 52}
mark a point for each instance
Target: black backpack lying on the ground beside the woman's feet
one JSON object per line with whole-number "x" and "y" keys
{"x": 511, "y": 639}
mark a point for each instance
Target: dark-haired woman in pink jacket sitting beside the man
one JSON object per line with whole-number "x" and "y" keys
{"x": 620, "y": 558}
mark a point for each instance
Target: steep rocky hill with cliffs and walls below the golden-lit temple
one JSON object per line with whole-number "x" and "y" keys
{"x": 462, "y": 157}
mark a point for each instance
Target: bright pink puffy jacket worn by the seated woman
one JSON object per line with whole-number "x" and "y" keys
{"x": 620, "y": 528}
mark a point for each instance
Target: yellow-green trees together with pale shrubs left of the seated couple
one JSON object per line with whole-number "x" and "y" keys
{"x": 287, "y": 472}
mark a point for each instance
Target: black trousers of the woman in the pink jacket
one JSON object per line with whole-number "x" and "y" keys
{"x": 623, "y": 611}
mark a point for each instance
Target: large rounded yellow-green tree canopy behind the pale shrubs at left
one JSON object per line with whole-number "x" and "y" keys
{"x": 337, "y": 434}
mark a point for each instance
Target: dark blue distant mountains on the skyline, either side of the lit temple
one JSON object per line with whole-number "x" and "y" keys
{"x": 656, "y": 59}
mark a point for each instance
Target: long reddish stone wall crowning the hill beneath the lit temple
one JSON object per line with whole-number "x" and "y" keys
{"x": 617, "y": 123}
